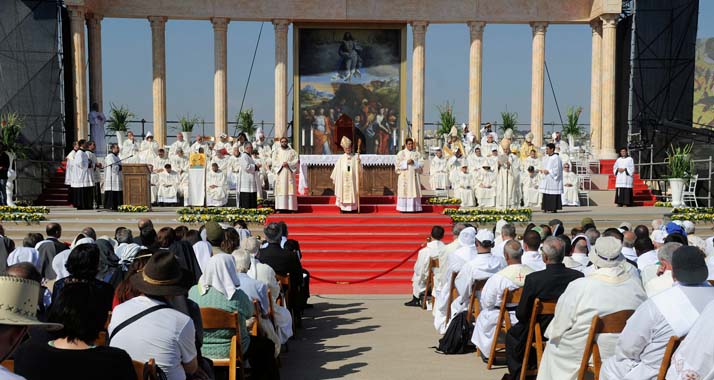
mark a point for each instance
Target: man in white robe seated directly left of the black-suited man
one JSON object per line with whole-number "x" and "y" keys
{"x": 510, "y": 277}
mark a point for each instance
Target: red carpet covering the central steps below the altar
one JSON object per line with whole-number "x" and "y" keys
{"x": 351, "y": 247}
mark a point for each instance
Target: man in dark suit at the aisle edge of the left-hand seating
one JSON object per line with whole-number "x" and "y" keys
{"x": 281, "y": 261}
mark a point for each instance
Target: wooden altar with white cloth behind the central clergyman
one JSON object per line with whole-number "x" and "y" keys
{"x": 379, "y": 178}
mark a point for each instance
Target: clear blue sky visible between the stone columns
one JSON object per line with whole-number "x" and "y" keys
{"x": 126, "y": 58}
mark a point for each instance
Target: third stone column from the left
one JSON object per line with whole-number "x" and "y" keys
{"x": 158, "y": 60}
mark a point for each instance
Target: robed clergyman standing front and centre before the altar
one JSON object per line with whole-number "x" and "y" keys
{"x": 346, "y": 177}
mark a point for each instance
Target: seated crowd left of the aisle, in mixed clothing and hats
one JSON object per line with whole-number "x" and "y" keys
{"x": 151, "y": 297}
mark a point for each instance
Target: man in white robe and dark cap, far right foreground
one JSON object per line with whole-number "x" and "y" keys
{"x": 640, "y": 347}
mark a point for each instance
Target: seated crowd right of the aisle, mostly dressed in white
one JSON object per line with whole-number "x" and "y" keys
{"x": 557, "y": 304}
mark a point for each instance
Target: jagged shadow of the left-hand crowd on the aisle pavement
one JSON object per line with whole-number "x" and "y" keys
{"x": 310, "y": 356}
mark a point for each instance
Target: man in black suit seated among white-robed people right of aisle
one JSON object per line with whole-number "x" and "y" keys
{"x": 547, "y": 284}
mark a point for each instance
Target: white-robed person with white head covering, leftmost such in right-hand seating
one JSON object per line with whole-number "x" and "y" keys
{"x": 456, "y": 260}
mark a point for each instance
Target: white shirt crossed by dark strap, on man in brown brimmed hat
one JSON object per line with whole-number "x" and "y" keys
{"x": 166, "y": 335}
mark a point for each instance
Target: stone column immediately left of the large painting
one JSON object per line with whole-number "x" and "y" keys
{"x": 281, "y": 78}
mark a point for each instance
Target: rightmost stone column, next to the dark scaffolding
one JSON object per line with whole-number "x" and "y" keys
{"x": 609, "y": 31}
